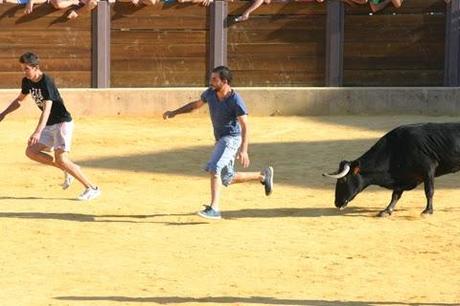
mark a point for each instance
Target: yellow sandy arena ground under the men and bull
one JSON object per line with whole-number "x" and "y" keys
{"x": 141, "y": 243}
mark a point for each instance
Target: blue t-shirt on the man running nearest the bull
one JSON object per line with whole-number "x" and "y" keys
{"x": 224, "y": 114}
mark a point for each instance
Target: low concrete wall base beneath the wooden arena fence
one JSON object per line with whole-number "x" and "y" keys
{"x": 260, "y": 101}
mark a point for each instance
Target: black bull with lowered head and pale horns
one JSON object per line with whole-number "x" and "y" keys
{"x": 400, "y": 161}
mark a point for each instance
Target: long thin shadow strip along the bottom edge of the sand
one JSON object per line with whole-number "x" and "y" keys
{"x": 220, "y": 300}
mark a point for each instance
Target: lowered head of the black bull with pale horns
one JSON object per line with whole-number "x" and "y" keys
{"x": 349, "y": 183}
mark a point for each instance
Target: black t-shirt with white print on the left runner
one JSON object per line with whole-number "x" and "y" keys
{"x": 46, "y": 90}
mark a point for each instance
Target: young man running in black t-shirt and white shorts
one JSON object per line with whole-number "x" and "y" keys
{"x": 55, "y": 127}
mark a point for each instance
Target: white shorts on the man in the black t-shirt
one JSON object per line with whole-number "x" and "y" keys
{"x": 57, "y": 136}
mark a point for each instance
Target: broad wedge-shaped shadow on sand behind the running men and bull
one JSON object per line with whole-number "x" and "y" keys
{"x": 297, "y": 164}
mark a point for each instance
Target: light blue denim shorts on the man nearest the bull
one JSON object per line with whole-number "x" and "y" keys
{"x": 222, "y": 160}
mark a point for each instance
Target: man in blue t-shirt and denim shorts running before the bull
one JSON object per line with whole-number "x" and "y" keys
{"x": 229, "y": 118}
